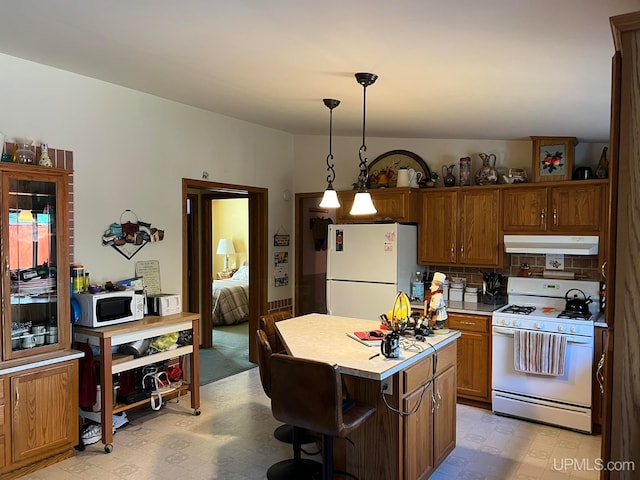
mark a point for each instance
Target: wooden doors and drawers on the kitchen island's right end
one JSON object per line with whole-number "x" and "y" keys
{"x": 430, "y": 433}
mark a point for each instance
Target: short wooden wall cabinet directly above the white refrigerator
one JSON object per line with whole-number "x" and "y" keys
{"x": 399, "y": 204}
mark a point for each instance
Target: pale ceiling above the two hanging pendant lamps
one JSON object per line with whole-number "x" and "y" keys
{"x": 490, "y": 69}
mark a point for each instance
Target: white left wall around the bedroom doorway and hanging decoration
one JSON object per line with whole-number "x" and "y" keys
{"x": 131, "y": 151}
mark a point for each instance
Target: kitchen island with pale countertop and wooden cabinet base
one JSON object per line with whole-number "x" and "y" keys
{"x": 414, "y": 427}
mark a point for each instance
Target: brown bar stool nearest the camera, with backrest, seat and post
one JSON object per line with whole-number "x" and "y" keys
{"x": 308, "y": 394}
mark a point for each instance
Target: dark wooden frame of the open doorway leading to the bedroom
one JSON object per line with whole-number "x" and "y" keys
{"x": 197, "y": 254}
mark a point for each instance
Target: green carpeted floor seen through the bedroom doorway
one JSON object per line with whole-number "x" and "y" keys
{"x": 229, "y": 355}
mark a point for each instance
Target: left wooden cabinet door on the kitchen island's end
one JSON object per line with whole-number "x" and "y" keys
{"x": 418, "y": 434}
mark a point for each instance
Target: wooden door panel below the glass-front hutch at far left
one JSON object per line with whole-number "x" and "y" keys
{"x": 44, "y": 404}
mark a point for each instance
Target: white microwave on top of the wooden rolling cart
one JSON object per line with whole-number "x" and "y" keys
{"x": 109, "y": 308}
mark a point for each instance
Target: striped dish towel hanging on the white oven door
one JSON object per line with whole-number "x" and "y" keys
{"x": 541, "y": 353}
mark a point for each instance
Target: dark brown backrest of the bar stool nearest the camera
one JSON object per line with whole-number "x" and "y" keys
{"x": 307, "y": 394}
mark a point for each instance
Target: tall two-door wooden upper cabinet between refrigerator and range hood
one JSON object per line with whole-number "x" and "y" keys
{"x": 460, "y": 226}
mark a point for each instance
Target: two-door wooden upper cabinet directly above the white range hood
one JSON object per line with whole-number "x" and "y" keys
{"x": 567, "y": 208}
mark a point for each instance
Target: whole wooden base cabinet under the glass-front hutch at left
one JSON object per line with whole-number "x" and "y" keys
{"x": 39, "y": 419}
